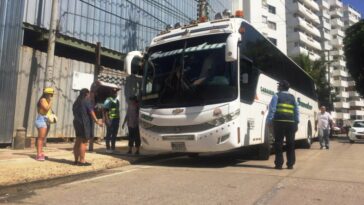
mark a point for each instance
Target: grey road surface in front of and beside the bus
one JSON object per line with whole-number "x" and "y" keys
{"x": 334, "y": 176}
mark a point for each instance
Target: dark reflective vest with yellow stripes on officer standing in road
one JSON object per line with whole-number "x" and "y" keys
{"x": 285, "y": 108}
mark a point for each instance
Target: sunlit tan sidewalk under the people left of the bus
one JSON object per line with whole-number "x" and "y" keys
{"x": 19, "y": 166}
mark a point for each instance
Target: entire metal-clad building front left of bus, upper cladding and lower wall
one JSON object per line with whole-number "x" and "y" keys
{"x": 119, "y": 25}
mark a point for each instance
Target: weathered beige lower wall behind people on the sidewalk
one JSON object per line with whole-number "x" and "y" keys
{"x": 29, "y": 89}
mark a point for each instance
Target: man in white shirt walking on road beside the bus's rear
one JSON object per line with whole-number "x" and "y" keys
{"x": 322, "y": 124}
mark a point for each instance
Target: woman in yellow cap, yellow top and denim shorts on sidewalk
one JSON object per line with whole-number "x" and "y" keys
{"x": 44, "y": 106}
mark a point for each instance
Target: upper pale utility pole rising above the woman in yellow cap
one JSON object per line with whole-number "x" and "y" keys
{"x": 48, "y": 81}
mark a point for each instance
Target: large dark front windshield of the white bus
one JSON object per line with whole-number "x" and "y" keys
{"x": 189, "y": 72}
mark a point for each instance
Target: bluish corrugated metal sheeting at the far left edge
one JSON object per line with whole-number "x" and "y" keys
{"x": 10, "y": 39}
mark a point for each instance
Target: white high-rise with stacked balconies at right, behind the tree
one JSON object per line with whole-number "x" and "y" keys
{"x": 317, "y": 28}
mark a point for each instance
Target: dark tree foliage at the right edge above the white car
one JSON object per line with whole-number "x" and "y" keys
{"x": 354, "y": 49}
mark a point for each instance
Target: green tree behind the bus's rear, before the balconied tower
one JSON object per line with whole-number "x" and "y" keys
{"x": 317, "y": 70}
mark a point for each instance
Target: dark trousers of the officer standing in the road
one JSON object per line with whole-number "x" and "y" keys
{"x": 281, "y": 130}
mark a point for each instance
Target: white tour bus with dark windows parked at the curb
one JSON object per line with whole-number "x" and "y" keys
{"x": 207, "y": 86}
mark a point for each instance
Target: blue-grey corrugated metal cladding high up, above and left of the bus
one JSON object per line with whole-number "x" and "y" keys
{"x": 121, "y": 25}
